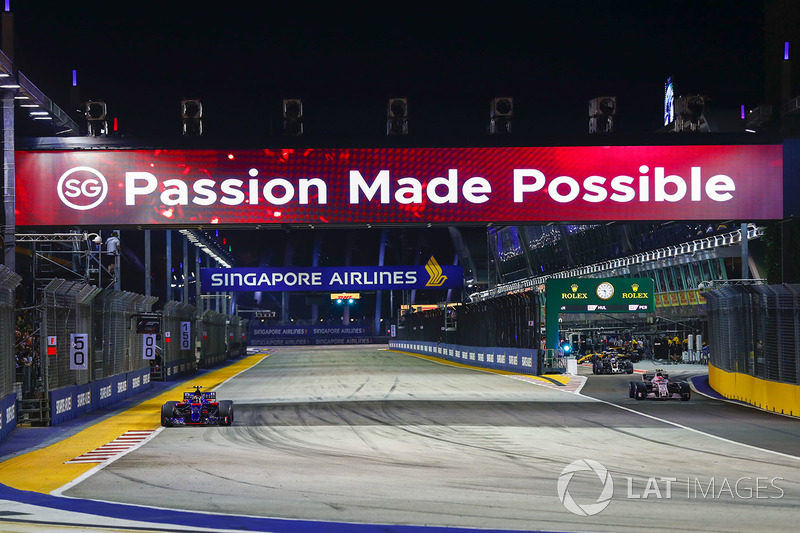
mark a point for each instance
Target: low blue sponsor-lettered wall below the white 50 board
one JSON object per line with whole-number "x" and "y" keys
{"x": 68, "y": 402}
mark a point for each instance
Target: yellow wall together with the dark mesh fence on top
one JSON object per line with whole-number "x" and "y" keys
{"x": 754, "y": 335}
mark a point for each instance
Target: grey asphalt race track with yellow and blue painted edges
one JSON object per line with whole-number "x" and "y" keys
{"x": 364, "y": 439}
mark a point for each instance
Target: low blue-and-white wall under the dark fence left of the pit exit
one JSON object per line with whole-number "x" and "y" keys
{"x": 518, "y": 360}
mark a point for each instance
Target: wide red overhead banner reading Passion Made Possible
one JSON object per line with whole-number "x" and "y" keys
{"x": 399, "y": 185}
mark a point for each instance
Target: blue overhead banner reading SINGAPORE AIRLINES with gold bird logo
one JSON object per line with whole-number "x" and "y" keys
{"x": 332, "y": 279}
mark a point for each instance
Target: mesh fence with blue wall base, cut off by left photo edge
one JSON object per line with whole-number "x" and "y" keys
{"x": 9, "y": 281}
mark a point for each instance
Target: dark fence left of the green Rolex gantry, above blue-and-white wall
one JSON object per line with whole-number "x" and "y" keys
{"x": 505, "y": 321}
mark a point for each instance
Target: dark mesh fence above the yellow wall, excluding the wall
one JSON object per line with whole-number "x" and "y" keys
{"x": 754, "y": 330}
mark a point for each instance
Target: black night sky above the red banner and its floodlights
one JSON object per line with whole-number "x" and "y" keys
{"x": 448, "y": 59}
